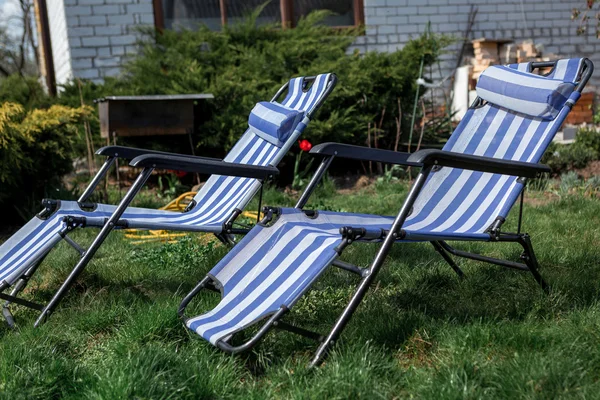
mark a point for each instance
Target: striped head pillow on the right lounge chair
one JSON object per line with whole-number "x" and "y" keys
{"x": 524, "y": 92}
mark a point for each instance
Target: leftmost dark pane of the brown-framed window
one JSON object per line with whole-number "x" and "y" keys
{"x": 190, "y": 13}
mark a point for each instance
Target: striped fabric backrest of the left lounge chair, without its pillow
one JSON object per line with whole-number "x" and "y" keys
{"x": 220, "y": 195}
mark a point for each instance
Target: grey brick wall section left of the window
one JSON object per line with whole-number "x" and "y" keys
{"x": 101, "y": 34}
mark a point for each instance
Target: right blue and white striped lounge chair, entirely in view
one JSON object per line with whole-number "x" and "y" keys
{"x": 462, "y": 193}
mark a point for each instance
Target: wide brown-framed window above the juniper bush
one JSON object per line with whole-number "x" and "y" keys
{"x": 171, "y": 14}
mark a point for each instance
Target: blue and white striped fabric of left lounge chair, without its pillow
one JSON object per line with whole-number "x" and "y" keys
{"x": 215, "y": 201}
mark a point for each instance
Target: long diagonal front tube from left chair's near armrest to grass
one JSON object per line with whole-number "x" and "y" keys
{"x": 89, "y": 254}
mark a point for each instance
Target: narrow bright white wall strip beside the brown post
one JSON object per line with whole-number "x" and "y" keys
{"x": 60, "y": 40}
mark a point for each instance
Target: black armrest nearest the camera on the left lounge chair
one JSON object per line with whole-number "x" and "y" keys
{"x": 203, "y": 166}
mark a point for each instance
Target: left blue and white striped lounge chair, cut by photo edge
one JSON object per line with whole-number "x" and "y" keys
{"x": 273, "y": 128}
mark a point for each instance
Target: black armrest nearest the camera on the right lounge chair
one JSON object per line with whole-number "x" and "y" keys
{"x": 431, "y": 157}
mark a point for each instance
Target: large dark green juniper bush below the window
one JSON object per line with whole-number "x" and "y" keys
{"x": 247, "y": 62}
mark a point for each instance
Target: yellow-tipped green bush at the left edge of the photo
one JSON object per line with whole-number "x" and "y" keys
{"x": 35, "y": 152}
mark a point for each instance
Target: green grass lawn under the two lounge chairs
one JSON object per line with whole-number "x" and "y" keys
{"x": 421, "y": 332}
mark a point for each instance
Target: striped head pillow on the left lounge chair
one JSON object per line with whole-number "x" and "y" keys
{"x": 274, "y": 122}
